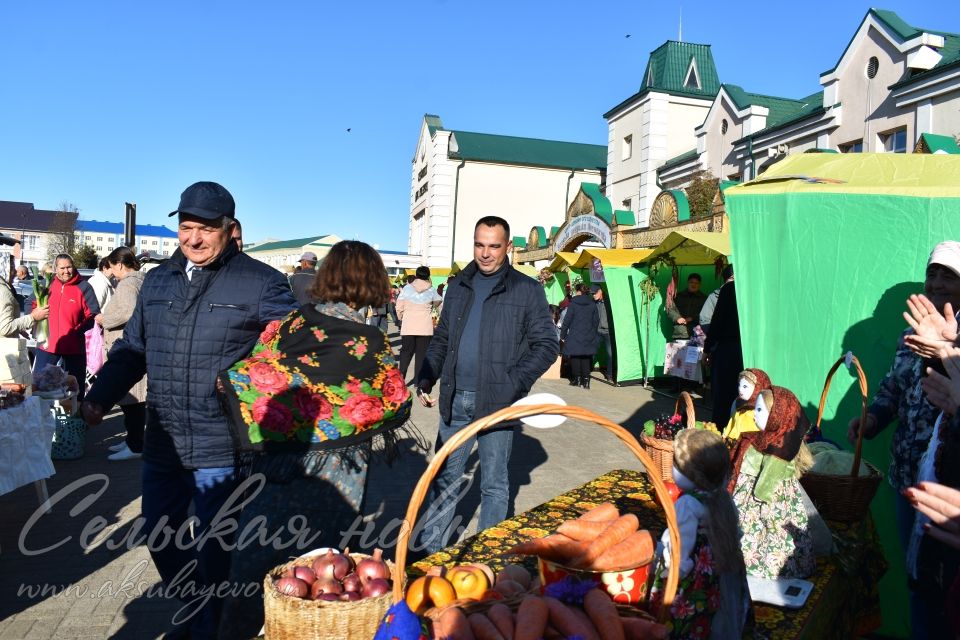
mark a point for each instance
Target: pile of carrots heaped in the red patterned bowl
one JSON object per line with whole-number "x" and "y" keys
{"x": 599, "y": 540}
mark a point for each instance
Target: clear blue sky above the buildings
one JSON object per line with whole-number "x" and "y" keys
{"x": 106, "y": 102}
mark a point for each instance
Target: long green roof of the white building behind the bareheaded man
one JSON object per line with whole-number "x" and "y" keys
{"x": 486, "y": 147}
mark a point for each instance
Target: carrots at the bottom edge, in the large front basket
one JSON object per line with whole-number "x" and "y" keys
{"x": 548, "y": 618}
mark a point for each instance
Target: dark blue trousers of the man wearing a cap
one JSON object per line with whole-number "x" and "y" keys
{"x": 167, "y": 494}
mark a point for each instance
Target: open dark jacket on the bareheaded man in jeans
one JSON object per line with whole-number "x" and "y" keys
{"x": 518, "y": 341}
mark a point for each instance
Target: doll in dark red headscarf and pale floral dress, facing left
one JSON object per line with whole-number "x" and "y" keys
{"x": 776, "y": 538}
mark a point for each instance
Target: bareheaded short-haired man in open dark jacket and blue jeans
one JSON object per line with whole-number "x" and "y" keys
{"x": 494, "y": 340}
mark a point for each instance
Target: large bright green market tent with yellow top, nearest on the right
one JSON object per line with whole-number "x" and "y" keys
{"x": 828, "y": 247}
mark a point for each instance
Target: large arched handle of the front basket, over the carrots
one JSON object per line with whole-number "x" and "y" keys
{"x": 513, "y": 413}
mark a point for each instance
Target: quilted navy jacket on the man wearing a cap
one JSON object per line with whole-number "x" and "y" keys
{"x": 183, "y": 332}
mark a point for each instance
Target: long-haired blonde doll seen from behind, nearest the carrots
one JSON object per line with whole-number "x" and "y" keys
{"x": 712, "y": 600}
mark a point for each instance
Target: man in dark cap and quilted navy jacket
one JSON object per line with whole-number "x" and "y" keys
{"x": 198, "y": 313}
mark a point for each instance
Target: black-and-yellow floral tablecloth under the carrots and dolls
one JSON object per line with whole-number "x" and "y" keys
{"x": 844, "y": 603}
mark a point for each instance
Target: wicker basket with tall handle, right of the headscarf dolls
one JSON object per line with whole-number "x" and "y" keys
{"x": 844, "y": 498}
